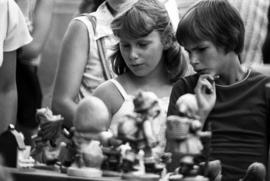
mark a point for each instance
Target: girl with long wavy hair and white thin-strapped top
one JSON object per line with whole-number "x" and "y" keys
{"x": 147, "y": 58}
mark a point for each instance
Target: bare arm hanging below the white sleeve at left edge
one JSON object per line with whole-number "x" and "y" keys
{"x": 8, "y": 91}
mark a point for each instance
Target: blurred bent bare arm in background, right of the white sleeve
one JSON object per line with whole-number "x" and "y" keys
{"x": 41, "y": 23}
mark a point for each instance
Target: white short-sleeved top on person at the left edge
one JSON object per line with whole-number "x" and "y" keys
{"x": 13, "y": 30}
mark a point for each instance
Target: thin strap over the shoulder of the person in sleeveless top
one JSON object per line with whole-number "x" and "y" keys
{"x": 101, "y": 50}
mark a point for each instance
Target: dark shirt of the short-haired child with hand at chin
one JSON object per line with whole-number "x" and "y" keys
{"x": 239, "y": 122}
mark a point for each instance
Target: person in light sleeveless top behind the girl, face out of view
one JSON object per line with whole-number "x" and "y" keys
{"x": 80, "y": 70}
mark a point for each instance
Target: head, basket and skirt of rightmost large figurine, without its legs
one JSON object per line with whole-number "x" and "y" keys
{"x": 185, "y": 128}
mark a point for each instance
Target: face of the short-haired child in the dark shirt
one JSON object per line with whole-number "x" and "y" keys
{"x": 205, "y": 57}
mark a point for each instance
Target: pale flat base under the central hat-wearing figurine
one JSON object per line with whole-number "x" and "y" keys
{"x": 139, "y": 177}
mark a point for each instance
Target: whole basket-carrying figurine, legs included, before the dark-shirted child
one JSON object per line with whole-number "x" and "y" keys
{"x": 184, "y": 133}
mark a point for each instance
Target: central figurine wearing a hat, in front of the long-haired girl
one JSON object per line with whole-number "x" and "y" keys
{"x": 137, "y": 131}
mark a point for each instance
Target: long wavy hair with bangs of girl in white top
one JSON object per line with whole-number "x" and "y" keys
{"x": 141, "y": 19}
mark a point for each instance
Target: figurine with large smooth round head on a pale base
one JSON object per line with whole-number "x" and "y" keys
{"x": 91, "y": 119}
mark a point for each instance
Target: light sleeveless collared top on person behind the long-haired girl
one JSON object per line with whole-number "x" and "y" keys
{"x": 93, "y": 72}
